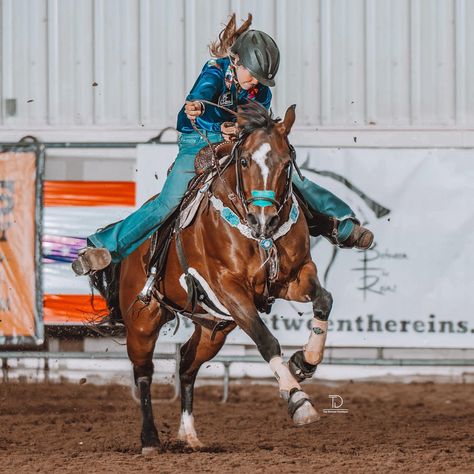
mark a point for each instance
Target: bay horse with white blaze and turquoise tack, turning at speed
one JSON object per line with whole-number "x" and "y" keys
{"x": 247, "y": 245}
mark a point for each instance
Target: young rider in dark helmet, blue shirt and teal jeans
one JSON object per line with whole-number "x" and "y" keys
{"x": 246, "y": 62}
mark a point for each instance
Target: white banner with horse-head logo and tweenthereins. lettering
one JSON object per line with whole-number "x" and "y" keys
{"x": 415, "y": 287}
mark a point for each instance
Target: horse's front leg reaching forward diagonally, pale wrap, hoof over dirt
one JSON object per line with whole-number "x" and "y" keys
{"x": 239, "y": 302}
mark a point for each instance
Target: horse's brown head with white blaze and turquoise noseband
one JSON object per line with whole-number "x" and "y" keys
{"x": 264, "y": 166}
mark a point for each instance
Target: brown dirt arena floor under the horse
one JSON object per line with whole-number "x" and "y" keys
{"x": 417, "y": 427}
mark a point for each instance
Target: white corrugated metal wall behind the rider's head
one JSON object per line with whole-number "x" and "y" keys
{"x": 121, "y": 64}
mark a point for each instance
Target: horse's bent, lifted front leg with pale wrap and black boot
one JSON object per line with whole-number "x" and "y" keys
{"x": 307, "y": 288}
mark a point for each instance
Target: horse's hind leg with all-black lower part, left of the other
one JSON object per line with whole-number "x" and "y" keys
{"x": 143, "y": 326}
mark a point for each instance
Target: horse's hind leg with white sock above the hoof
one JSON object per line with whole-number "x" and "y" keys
{"x": 200, "y": 348}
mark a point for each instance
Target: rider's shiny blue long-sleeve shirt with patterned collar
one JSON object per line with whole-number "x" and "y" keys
{"x": 215, "y": 84}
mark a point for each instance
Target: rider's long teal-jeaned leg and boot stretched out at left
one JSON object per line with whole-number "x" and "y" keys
{"x": 122, "y": 238}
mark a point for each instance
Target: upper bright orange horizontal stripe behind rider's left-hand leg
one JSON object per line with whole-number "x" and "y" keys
{"x": 89, "y": 193}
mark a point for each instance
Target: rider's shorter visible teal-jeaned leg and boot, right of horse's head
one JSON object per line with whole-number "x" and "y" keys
{"x": 347, "y": 228}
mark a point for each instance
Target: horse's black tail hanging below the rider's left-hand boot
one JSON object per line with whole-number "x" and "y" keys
{"x": 107, "y": 282}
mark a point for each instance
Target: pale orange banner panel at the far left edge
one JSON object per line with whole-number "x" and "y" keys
{"x": 18, "y": 310}
